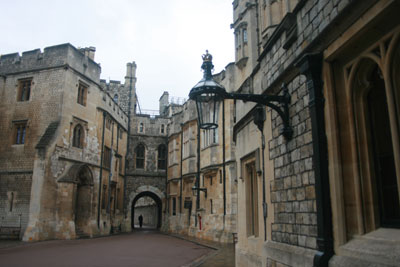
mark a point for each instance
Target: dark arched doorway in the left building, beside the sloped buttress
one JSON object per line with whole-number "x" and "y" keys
{"x": 83, "y": 200}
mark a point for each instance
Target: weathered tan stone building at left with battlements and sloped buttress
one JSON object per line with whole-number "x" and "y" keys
{"x": 63, "y": 141}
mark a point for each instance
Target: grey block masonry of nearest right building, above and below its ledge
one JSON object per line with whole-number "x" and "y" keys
{"x": 293, "y": 191}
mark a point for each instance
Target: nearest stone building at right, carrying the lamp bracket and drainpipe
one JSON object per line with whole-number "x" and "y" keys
{"x": 328, "y": 194}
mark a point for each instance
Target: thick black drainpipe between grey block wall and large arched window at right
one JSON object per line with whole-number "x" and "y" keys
{"x": 311, "y": 66}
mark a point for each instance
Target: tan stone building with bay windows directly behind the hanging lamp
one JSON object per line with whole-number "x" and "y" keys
{"x": 212, "y": 214}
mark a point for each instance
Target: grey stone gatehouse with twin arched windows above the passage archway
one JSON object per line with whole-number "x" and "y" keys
{"x": 145, "y": 172}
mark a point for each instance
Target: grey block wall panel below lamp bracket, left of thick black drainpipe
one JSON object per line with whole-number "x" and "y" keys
{"x": 293, "y": 191}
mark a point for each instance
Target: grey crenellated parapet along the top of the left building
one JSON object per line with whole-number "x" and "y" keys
{"x": 51, "y": 57}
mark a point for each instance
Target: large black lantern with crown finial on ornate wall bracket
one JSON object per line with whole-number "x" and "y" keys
{"x": 208, "y": 94}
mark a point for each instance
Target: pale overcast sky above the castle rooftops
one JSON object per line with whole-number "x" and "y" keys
{"x": 165, "y": 38}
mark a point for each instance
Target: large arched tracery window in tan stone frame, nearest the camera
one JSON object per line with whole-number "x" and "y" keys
{"x": 366, "y": 88}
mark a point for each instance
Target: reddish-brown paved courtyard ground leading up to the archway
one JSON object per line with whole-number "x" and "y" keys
{"x": 141, "y": 248}
